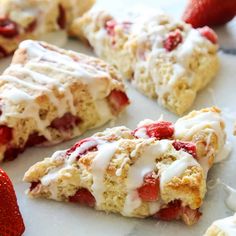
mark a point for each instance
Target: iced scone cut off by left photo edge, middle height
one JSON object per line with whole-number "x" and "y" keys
{"x": 48, "y": 95}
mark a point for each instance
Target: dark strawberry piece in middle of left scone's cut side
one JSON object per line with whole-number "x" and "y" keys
{"x": 66, "y": 122}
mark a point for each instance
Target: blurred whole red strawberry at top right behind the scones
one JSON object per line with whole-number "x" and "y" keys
{"x": 200, "y": 13}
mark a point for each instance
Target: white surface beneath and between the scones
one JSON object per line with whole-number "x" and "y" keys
{"x": 49, "y": 218}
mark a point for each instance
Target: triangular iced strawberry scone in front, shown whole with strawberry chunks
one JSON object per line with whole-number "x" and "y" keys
{"x": 144, "y": 172}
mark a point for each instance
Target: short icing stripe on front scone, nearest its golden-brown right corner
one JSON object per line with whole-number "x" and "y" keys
{"x": 176, "y": 168}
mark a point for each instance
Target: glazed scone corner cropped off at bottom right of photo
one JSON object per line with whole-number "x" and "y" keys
{"x": 223, "y": 227}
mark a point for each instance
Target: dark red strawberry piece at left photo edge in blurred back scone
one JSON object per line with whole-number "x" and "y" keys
{"x": 8, "y": 28}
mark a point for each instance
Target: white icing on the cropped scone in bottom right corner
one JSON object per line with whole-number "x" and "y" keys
{"x": 227, "y": 225}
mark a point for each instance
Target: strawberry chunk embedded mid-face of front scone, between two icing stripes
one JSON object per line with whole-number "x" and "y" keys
{"x": 150, "y": 189}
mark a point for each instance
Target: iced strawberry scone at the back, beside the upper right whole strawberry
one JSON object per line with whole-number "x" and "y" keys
{"x": 165, "y": 59}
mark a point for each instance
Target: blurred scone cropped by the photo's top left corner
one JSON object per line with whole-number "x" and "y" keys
{"x": 30, "y": 19}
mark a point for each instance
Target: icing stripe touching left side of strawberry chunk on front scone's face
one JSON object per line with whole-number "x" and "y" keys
{"x": 145, "y": 164}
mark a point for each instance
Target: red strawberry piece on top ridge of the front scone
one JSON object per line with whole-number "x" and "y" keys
{"x": 159, "y": 130}
